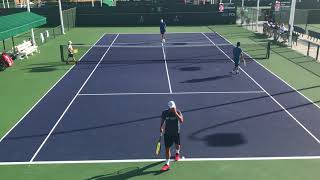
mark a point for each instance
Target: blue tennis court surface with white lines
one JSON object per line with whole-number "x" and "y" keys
{"x": 108, "y": 106}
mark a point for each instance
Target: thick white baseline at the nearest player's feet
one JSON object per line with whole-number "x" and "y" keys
{"x": 159, "y": 160}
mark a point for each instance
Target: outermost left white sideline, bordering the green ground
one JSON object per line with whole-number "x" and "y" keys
{"x": 46, "y": 93}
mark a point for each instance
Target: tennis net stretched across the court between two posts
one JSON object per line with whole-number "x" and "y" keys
{"x": 254, "y": 50}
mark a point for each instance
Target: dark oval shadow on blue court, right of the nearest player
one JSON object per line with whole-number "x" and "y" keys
{"x": 224, "y": 139}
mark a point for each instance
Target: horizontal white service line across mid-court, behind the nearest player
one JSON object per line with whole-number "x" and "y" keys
{"x": 213, "y": 92}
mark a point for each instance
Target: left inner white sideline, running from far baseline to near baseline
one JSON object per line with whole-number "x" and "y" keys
{"x": 35, "y": 155}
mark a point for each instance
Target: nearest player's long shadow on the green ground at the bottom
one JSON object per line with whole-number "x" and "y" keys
{"x": 130, "y": 172}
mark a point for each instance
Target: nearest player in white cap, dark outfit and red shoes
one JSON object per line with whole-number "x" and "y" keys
{"x": 171, "y": 119}
